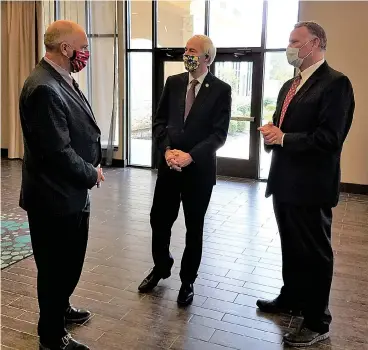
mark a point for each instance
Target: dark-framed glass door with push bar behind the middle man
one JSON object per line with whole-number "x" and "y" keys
{"x": 240, "y": 154}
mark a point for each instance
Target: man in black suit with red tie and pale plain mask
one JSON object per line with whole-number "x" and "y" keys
{"x": 313, "y": 116}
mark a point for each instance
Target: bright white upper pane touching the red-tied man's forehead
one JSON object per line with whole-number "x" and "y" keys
{"x": 278, "y": 31}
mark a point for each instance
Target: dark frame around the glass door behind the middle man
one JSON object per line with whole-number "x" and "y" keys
{"x": 232, "y": 167}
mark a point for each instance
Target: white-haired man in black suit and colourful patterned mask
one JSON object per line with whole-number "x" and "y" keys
{"x": 190, "y": 125}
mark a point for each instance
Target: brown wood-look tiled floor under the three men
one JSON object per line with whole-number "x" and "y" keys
{"x": 241, "y": 262}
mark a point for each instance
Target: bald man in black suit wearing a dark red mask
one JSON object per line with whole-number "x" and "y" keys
{"x": 62, "y": 152}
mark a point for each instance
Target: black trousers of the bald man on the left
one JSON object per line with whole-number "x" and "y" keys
{"x": 59, "y": 245}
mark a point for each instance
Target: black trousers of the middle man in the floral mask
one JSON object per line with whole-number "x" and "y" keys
{"x": 171, "y": 189}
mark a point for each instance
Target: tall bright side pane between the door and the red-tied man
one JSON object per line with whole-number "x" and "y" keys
{"x": 277, "y": 71}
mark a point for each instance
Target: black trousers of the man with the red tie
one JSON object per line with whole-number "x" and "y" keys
{"x": 307, "y": 260}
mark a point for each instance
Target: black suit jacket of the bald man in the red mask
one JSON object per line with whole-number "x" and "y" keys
{"x": 61, "y": 144}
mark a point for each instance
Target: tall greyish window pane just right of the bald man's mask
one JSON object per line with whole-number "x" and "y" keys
{"x": 102, "y": 85}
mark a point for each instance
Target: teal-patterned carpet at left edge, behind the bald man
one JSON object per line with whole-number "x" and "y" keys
{"x": 15, "y": 239}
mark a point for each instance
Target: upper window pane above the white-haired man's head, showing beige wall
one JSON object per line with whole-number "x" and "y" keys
{"x": 178, "y": 21}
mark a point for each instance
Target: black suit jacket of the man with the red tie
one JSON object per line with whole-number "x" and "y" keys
{"x": 306, "y": 170}
